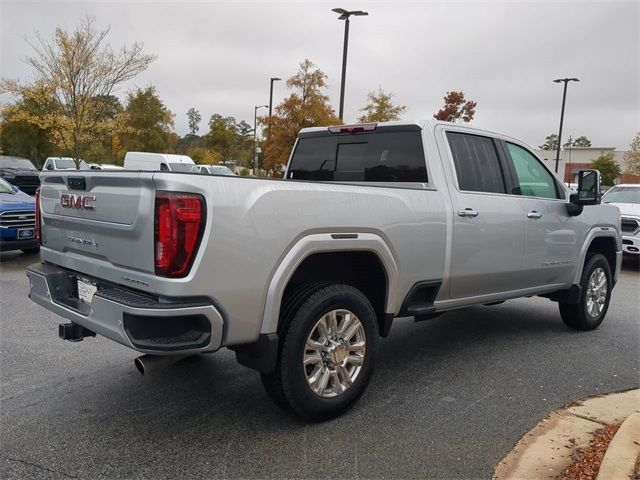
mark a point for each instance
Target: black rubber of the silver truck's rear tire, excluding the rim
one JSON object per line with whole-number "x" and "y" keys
{"x": 287, "y": 384}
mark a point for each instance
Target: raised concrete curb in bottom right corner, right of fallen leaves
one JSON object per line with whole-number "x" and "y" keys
{"x": 623, "y": 452}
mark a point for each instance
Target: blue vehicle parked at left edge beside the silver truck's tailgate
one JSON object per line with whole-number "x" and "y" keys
{"x": 17, "y": 220}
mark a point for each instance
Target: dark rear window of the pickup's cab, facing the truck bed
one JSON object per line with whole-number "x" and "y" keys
{"x": 389, "y": 154}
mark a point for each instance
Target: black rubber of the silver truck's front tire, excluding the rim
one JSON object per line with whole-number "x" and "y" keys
{"x": 577, "y": 315}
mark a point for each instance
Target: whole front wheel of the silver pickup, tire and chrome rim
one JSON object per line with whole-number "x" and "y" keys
{"x": 596, "y": 283}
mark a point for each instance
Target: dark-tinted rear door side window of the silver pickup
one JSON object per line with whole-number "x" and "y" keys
{"x": 477, "y": 163}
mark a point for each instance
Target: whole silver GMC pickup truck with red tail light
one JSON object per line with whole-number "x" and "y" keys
{"x": 301, "y": 276}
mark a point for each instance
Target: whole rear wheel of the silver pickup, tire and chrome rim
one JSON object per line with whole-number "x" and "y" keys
{"x": 327, "y": 353}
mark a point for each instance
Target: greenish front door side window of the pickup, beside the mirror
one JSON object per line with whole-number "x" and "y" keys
{"x": 534, "y": 179}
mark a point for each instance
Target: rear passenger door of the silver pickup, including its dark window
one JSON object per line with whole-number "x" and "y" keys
{"x": 488, "y": 228}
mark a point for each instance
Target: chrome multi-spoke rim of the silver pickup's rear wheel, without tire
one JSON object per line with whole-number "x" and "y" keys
{"x": 334, "y": 353}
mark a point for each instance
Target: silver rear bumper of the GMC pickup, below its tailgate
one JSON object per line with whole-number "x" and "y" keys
{"x": 124, "y": 315}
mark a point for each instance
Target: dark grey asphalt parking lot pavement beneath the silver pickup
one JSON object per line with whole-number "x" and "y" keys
{"x": 449, "y": 397}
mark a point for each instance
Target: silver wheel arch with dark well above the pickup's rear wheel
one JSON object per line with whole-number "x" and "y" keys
{"x": 342, "y": 257}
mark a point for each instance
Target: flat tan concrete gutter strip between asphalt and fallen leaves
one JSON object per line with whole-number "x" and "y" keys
{"x": 545, "y": 451}
